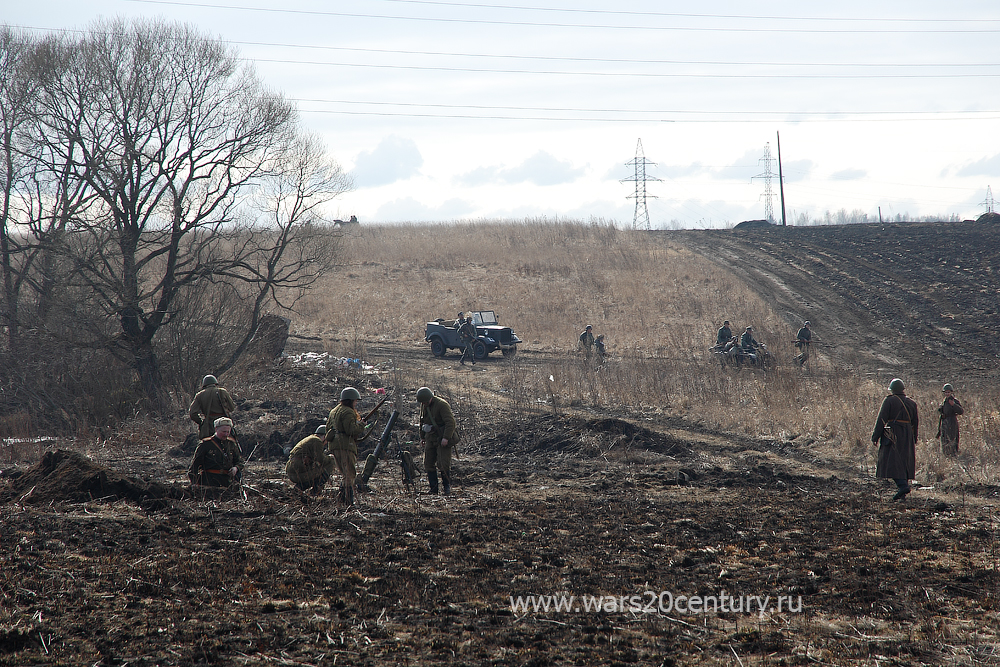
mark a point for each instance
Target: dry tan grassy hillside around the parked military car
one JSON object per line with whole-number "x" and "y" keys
{"x": 659, "y": 303}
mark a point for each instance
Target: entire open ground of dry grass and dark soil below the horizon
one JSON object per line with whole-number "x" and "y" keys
{"x": 655, "y": 473}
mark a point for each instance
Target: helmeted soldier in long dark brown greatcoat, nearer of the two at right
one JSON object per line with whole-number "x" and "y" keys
{"x": 896, "y": 435}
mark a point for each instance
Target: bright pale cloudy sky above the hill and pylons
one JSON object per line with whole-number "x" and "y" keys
{"x": 508, "y": 109}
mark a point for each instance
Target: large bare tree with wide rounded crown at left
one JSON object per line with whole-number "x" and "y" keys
{"x": 172, "y": 136}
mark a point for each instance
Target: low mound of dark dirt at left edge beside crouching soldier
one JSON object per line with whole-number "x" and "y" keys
{"x": 63, "y": 476}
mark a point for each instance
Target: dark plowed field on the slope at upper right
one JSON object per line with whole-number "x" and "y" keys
{"x": 924, "y": 298}
